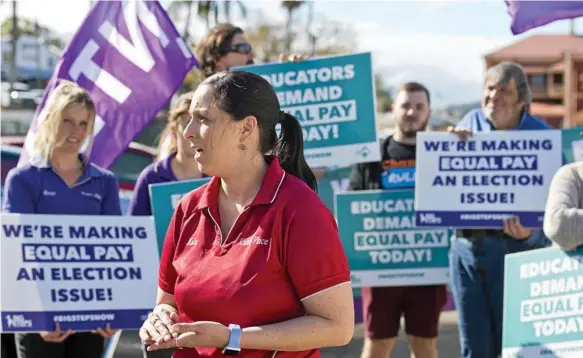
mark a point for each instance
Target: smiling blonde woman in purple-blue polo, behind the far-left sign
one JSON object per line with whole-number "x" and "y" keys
{"x": 56, "y": 181}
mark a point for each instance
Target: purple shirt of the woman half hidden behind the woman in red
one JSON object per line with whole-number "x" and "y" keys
{"x": 157, "y": 172}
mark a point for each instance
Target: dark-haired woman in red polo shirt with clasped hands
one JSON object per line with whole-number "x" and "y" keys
{"x": 252, "y": 261}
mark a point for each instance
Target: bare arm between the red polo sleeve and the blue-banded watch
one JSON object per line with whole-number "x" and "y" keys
{"x": 329, "y": 322}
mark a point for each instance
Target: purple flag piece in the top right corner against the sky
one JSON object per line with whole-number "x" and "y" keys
{"x": 530, "y": 14}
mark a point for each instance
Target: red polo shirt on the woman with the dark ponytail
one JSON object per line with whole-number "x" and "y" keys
{"x": 283, "y": 248}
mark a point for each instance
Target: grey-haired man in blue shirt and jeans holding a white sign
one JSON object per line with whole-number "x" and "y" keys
{"x": 477, "y": 256}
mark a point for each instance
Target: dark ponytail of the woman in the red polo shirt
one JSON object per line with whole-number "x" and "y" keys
{"x": 289, "y": 148}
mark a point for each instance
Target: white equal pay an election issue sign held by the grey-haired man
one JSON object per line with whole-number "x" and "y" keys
{"x": 490, "y": 177}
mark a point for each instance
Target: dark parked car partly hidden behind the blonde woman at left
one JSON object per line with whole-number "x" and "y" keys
{"x": 126, "y": 168}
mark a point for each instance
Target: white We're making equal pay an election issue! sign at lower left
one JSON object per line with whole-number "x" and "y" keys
{"x": 79, "y": 271}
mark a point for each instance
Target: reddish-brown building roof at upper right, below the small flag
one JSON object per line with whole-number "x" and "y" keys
{"x": 539, "y": 48}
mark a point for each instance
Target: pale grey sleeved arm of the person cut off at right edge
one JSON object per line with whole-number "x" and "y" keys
{"x": 563, "y": 223}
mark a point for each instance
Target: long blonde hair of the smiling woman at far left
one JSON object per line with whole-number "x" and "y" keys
{"x": 51, "y": 117}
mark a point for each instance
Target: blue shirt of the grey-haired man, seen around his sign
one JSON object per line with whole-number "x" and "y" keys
{"x": 477, "y": 122}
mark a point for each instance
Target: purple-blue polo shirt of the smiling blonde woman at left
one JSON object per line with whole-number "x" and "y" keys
{"x": 36, "y": 188}
